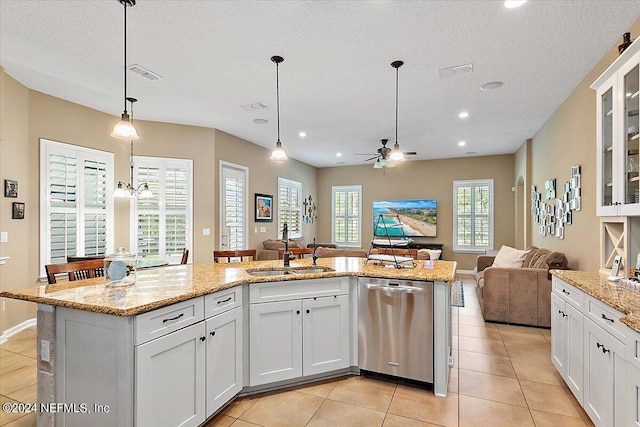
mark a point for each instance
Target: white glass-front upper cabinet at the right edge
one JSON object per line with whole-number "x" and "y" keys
{"x": 617, "y": 127}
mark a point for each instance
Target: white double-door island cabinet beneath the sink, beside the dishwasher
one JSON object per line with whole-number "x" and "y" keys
{"x": 298, "y": 336}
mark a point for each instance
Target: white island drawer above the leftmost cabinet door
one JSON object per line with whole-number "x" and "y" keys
{"x": 164, "y": 320}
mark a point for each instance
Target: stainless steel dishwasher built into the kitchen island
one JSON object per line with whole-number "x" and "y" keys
{"x": 395, "y": 328}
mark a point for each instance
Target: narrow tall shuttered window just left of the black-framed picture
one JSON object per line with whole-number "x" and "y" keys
{"x": 233, "y": 206}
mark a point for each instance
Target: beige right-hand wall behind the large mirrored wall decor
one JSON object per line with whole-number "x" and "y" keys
{"x": 569, "y": 138}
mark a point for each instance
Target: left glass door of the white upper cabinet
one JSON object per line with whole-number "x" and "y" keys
{"x": 606, "y": 120}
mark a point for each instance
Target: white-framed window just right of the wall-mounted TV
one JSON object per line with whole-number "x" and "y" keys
{"x": 473, "y": 215}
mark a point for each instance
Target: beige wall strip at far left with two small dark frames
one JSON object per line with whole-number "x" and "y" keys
{"x": 15, "y": 155}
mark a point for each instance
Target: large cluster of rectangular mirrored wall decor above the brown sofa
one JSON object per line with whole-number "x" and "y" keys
{"x": 553, "y": 216}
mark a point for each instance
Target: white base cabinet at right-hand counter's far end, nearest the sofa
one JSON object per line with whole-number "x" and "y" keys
{"x": 567, "y": 343}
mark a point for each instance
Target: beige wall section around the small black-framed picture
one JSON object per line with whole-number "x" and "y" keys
{"x": 263, "y": 179}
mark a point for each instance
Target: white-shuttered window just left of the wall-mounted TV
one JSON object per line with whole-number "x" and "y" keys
{"x": 346, "y": 215}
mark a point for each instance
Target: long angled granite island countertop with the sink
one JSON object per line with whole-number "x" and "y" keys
{"x": 159, "y": 287}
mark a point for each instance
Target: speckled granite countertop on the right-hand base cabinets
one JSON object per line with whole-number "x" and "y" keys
{"x": 597, "y": 285}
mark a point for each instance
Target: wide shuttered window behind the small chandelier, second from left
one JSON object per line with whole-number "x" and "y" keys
{"x": 163, "y": 223}
